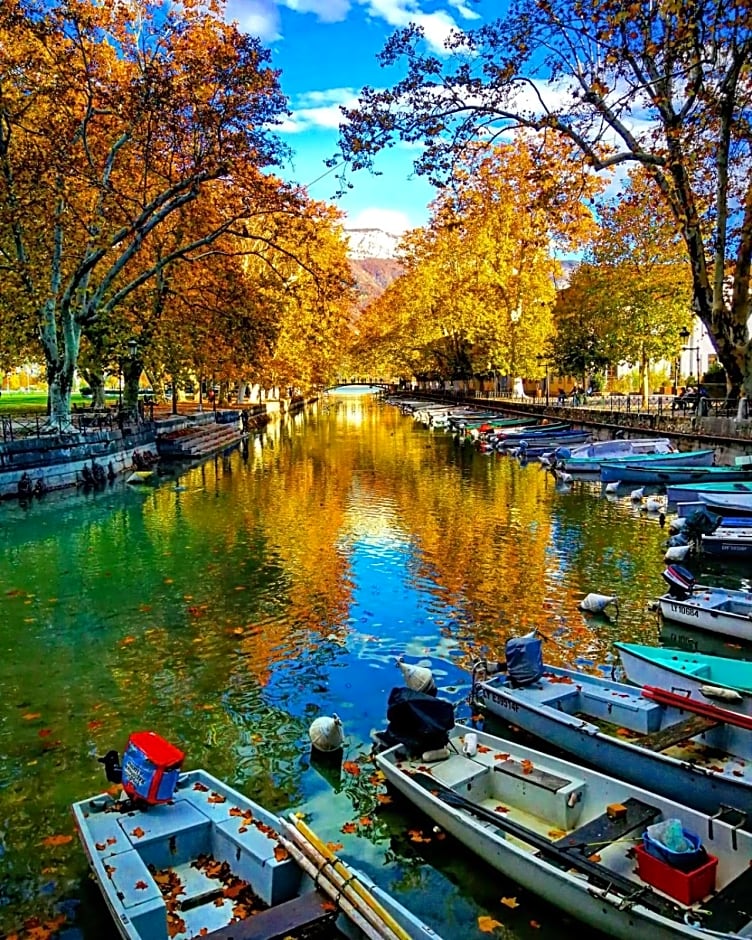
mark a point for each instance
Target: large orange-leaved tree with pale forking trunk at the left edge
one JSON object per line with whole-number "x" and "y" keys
{"x": 113, "y": 119}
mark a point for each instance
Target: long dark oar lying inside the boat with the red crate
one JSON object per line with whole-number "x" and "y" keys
{"x": 562, "y": 857}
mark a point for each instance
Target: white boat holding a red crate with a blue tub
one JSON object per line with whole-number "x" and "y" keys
{"x": 575, "y": 837}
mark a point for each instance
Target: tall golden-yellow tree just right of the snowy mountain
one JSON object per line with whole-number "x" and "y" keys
{"x": 482, "y": 276}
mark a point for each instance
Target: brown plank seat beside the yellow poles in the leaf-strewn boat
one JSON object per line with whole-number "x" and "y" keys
{"x": 309, "y": 912}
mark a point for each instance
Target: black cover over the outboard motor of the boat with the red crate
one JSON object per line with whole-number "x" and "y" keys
{"x": 418, "y": 721}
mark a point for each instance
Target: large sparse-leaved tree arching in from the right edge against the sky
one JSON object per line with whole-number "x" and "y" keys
{"x": 664, "y": 85}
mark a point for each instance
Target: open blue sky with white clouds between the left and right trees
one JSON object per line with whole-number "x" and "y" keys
{"x": 326, "y": 51}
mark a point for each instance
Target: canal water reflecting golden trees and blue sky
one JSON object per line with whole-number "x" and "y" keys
{"x": 238, "y": 600}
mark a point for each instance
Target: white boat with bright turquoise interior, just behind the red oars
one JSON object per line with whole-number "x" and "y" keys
{"x": 702, "y": 677}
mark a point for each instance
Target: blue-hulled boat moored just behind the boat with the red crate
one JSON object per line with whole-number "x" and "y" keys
{"x": 620, "y": 730}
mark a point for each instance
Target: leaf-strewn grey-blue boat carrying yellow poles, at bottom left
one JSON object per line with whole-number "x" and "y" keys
{"x": 212, "y": 863}
